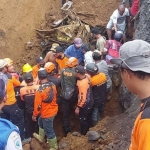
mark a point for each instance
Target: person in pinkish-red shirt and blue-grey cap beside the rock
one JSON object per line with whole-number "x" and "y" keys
{"x": 112, "y": 47}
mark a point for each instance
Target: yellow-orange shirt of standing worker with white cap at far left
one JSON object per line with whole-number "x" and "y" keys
{"x": 12, "y": 82}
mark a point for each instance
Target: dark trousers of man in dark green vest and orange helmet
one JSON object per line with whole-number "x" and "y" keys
{"x": 66, "y": 107}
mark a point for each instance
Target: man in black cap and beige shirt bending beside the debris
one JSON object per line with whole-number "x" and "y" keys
{"x": 101, "y": 41}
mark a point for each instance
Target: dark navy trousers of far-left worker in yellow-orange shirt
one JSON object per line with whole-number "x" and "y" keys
{"x": 14, "y": 114}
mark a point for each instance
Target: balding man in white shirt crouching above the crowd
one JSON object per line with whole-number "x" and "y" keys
{"x": 118, "y": 21}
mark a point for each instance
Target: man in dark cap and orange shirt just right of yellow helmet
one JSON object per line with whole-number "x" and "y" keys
{"x": 40, "y": 64}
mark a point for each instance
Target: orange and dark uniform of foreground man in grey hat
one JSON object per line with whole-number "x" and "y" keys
{"x": 140, "y": 139}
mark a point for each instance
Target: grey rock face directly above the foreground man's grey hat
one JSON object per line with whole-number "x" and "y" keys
{"x": 143, "y": 22}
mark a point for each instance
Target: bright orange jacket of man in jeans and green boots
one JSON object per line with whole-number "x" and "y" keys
{"x": 47, "y": 110}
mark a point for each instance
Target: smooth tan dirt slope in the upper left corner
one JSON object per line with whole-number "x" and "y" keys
{"x": 17, "y": 22}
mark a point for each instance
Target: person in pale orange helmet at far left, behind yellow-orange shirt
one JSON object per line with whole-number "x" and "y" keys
{"x": 10, "y": 68}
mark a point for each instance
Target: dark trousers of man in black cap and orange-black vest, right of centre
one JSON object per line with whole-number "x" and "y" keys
{"x": 85, "y": 118}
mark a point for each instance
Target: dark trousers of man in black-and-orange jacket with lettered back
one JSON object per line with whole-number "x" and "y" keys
{"x": 31, "y": 125}
